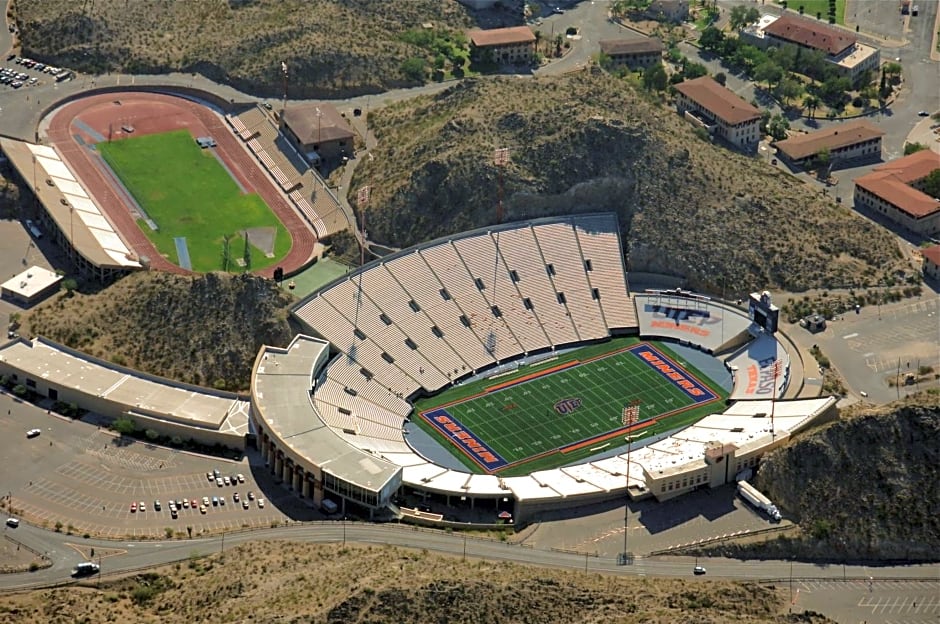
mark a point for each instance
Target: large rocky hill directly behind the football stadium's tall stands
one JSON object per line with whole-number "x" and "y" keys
{"x": 590, "y": 142}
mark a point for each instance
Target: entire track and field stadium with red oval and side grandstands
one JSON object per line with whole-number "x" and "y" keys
{"x": 124, "y": 186}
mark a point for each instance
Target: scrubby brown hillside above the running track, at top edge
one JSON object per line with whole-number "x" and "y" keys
{"x": 333, "y": 48}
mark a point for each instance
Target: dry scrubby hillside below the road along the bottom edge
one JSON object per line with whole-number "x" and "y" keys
{"x": 288, "y": 582}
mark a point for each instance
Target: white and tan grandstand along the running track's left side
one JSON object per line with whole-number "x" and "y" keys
{"x": 69, "y": 204}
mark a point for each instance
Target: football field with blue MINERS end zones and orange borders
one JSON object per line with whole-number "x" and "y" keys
{"x": 521, "y": 424}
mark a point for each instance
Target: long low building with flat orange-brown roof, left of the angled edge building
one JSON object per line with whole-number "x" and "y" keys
{"x": 852, "y": 141}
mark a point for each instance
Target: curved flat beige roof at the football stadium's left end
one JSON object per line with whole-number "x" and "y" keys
{"x": 281, "y": 388}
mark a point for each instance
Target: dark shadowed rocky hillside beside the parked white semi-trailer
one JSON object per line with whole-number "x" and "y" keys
{"x": 866, "y": 487}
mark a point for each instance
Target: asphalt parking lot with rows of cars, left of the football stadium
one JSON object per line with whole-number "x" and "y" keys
{"x": 93, "y": 481}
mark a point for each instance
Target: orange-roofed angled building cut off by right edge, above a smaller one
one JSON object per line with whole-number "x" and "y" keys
{"x": 895, "y": 190}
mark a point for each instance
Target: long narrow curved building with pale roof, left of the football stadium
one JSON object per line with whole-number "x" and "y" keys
{"x": 146, "y": 395}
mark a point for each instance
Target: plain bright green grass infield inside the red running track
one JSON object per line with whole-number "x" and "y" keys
{"x": 188, "y": 193}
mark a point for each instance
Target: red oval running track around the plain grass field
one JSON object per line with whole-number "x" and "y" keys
{"x": 150, "y": 113}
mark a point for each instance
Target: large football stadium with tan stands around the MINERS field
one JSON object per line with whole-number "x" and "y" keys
{"x": 501, "y": 373}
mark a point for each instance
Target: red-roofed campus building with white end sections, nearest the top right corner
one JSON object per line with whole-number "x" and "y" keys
{"x": 840, "y": 48}
